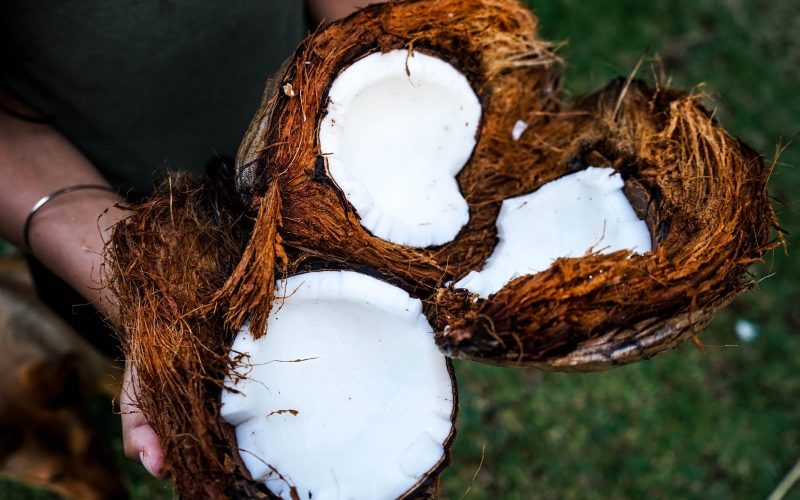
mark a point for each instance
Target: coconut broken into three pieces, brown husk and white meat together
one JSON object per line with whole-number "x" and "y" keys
{"x": 359, "y": 161}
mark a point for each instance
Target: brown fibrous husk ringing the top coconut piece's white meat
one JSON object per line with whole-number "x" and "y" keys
{"x": 492, "y": 42}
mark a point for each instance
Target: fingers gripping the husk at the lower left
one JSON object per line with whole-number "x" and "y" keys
{"x": 140, "y": 441}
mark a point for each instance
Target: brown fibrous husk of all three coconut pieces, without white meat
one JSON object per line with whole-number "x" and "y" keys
{"x": 193, "y": 263}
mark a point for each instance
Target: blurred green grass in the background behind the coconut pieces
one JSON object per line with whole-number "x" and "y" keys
{"x": 686, "y": 424}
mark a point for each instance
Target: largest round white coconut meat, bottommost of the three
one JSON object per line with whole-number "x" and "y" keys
{"x": 346, "y": 396}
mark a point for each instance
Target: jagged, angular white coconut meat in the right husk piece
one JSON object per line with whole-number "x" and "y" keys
{"x": 569, "y": 217}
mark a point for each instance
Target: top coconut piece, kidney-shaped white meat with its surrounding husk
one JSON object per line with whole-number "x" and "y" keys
{"x": 484, "y": 51}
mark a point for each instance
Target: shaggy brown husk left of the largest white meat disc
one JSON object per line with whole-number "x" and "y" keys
{"x": 167, "y": 261}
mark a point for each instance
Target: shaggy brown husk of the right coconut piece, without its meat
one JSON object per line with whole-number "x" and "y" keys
{"x": 704, "y": 197}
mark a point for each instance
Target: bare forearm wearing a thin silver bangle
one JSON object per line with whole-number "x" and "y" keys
{"x": 69, "y": 232}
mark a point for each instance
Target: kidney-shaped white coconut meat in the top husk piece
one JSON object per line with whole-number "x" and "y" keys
{"x": 398, "y": 128}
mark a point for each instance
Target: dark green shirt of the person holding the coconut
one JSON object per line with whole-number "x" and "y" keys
{"x": 138, "y": 85}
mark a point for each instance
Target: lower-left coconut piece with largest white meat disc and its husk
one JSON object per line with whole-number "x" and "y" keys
{"x": 340, "y": 385}
